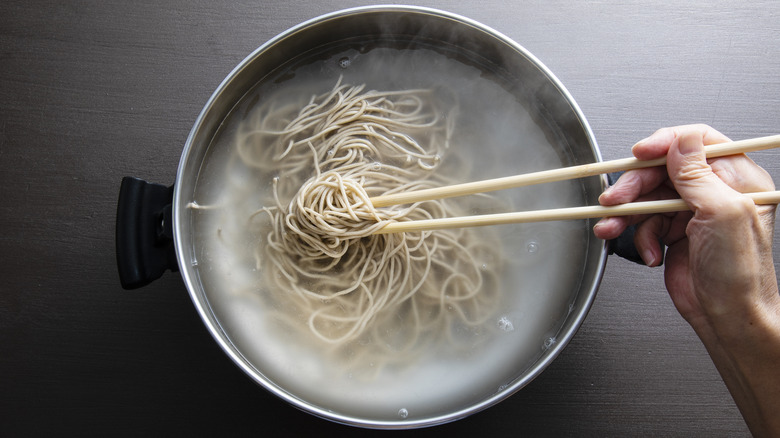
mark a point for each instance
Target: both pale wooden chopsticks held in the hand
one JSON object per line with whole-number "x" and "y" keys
{"x": 561, "y": 174}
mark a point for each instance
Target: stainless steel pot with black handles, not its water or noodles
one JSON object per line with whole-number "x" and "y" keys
{"x": 154, "y": 225}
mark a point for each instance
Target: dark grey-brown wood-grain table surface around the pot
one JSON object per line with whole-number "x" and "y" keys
{"x": 94, "y": 90}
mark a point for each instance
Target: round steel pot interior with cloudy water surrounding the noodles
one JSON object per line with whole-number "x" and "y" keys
{"x": 506, "y": 114}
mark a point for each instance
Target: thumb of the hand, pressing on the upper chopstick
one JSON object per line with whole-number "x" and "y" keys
{"x": 692, "y": 176}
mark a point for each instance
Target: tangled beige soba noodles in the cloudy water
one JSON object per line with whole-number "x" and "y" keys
{"x": 382, "y": 297}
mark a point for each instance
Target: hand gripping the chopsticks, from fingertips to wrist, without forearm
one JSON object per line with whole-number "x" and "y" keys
{"x": 719, "y": 257}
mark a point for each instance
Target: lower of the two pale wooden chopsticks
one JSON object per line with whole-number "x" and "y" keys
{"x": 556, "y": 214}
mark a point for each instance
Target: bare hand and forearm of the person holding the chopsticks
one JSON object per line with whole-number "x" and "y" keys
{"x": 719, "y": 270}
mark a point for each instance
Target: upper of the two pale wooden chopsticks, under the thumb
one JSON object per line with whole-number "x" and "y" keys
{"x": 565, "y": 173}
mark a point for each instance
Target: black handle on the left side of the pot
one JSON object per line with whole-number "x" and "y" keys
{"x": 144, "y": 232}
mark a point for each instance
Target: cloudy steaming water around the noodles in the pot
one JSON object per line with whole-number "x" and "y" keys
{"x": 539, "y": 265}
